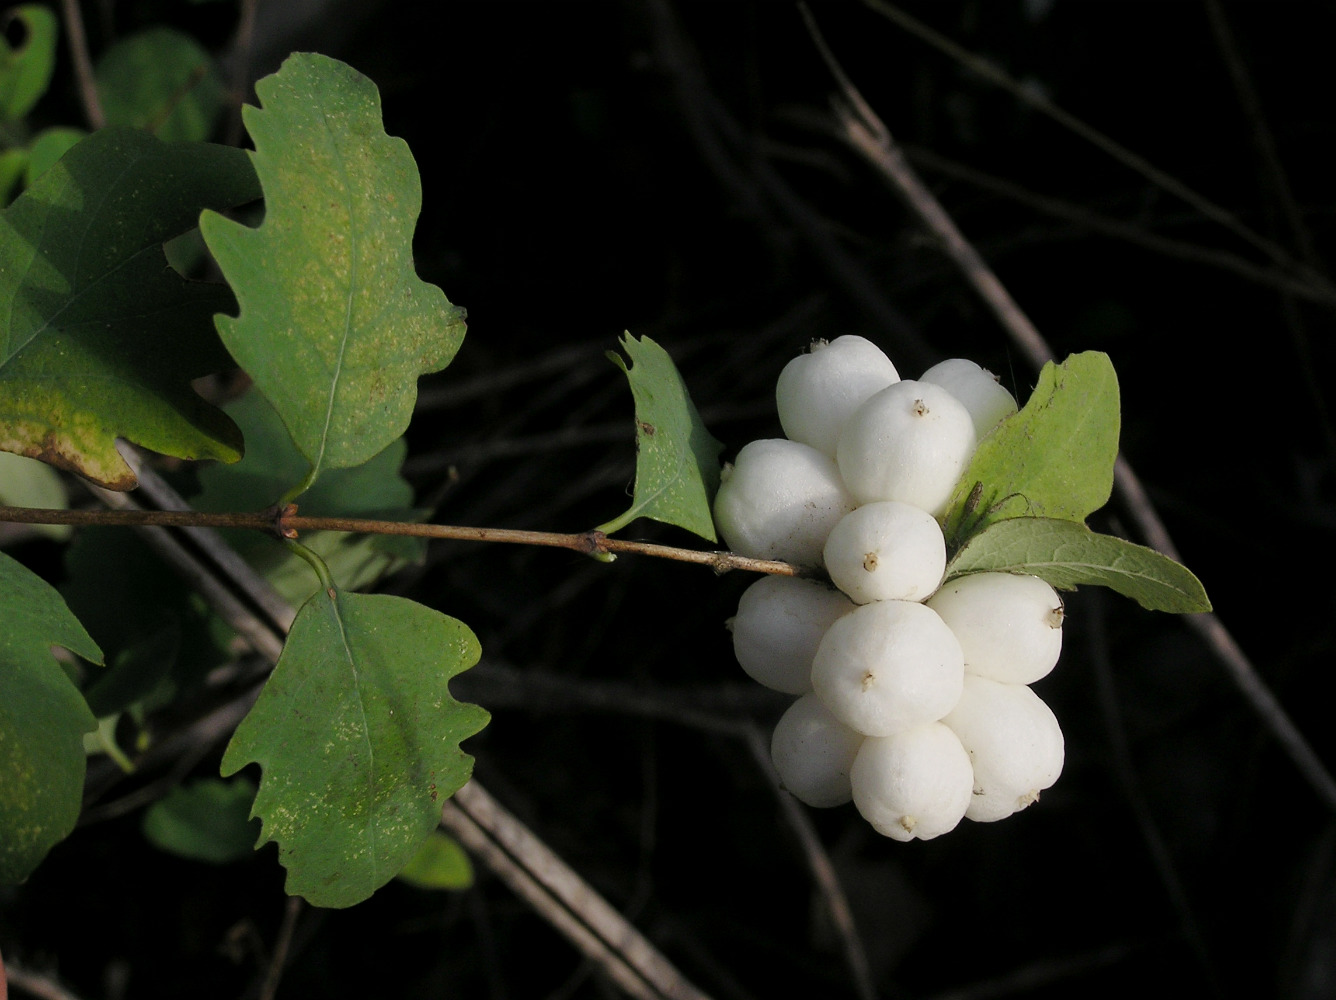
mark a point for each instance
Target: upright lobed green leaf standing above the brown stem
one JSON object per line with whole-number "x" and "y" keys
{"x": 335, "y": 325}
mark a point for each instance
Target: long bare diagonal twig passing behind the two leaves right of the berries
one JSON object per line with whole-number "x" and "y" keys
{"x": 870, "y": 137}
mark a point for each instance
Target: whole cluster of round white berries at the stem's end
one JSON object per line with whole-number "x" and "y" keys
{"x": 913, "y": 695}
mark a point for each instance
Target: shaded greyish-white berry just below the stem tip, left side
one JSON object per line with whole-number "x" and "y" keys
{"x": 778, "y": 627}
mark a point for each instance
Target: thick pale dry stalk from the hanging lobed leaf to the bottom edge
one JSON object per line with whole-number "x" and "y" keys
{"x": 571, "y": 905}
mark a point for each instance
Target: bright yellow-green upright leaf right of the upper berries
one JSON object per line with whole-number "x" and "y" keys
{"x": 1053, "y": 460}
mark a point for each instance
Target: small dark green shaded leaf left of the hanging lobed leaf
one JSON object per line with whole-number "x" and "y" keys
{"x": 206, "y": 820}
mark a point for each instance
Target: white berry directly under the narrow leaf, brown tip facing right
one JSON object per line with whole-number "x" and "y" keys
{"x": 1009, "y": 627}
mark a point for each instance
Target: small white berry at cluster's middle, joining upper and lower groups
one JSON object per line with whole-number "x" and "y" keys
{"x": 886, "y": 552}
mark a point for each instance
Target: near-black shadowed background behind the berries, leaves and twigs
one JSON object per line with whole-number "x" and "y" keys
{"x": 670, "y": 169}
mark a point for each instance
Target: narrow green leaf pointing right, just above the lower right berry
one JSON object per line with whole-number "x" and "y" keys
{"x": 1068, "y": 555}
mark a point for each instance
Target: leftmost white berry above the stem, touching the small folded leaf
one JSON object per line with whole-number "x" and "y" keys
{"x": 780, "y": 501}
